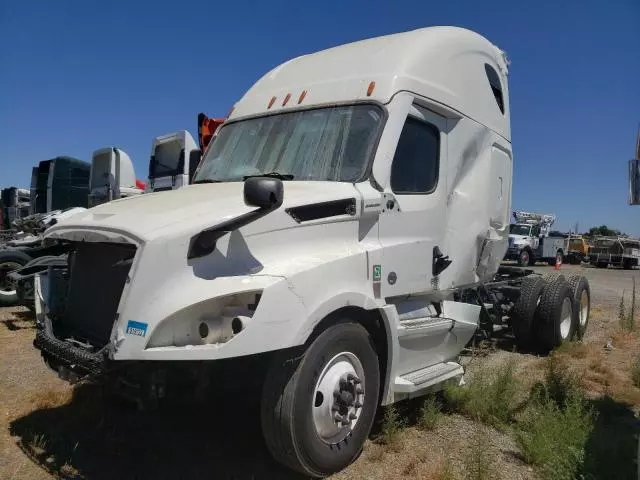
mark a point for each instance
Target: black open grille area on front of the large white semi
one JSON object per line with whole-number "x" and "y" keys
{"x": 98, "y": 272}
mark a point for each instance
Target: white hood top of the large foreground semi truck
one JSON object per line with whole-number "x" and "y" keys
{"x": 196, "y": 206}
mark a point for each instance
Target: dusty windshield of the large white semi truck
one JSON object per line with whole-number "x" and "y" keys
{"x": 332, "y": 143}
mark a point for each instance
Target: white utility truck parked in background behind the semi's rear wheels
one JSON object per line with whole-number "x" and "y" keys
{"x": 530, "y": 239}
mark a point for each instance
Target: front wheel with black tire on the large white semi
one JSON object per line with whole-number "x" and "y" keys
{"x": 318, "y": 406}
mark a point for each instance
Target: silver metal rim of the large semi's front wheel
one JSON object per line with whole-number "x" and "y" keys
{"x": 338, "y": 397}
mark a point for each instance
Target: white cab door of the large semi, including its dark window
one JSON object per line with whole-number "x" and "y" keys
{"x": 412, "y": 223}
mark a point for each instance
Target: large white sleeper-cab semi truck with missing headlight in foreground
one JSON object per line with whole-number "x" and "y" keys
{"x": 344, "y": 230}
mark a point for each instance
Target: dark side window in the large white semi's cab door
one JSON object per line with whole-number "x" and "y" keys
{"x": 416, "y": 163}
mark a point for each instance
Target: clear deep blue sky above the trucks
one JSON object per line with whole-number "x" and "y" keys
{"x": 78, "y": 75}
